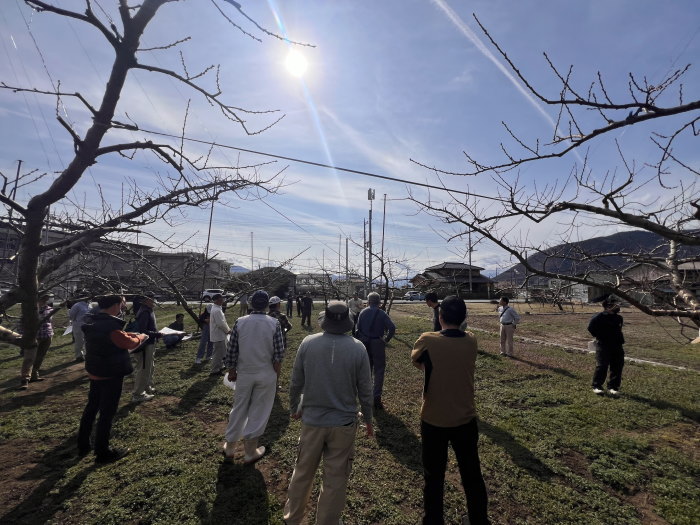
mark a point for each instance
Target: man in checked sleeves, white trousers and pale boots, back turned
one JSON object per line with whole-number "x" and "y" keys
{"x": 253, "y": 357}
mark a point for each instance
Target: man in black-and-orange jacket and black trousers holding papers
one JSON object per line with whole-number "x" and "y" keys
{"x": 107, "y": 361}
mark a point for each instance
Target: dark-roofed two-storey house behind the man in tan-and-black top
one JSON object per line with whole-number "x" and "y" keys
{"x": 453, "y": 278}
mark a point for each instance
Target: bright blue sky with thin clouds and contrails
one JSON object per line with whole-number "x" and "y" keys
{"x": 386, "y": 82}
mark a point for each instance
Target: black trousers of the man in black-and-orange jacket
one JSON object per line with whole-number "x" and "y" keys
{"x": 103, "y": 398}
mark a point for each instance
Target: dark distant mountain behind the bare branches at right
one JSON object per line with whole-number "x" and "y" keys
{"x": 576, "y": 258}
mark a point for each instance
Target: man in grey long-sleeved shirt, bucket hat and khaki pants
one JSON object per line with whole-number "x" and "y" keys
{"x": 331, "y": 371}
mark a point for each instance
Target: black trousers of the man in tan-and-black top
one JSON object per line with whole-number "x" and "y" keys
{"x": 464, "y": 441}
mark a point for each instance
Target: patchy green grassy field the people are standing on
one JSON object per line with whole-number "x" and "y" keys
{"x": 551, "y": 451}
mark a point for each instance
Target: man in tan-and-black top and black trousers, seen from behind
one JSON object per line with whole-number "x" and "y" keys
{"x": 448, "y": 413}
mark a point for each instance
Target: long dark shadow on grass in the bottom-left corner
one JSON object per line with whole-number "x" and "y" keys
{"x": 47, "y": 499}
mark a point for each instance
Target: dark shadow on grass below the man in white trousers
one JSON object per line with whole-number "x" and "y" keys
{"x": 241, "y": 497}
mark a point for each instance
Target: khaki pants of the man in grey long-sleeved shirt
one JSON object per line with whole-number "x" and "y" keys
{"x": 336, "y": 445}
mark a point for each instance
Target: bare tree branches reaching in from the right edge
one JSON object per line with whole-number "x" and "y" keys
{"x": 582, "y": 198}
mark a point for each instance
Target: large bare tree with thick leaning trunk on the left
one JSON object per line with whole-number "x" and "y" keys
{"x": 190, "y": 179}
